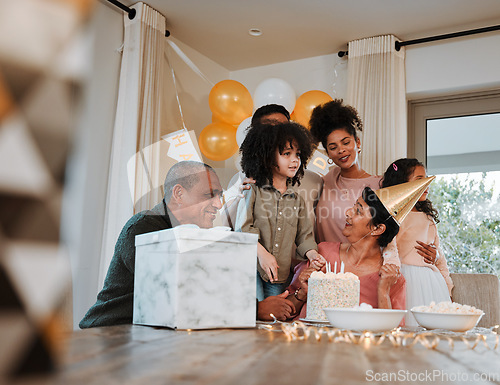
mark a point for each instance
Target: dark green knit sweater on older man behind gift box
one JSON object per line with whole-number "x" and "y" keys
{"x": 114, "y": 304}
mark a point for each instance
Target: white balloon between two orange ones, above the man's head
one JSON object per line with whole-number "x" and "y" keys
{"x": 274, "y": 91}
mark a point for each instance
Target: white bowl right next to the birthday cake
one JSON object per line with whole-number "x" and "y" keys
{"x": 375, "y": 320}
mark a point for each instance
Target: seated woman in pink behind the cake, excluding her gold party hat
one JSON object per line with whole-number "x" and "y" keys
{"x": 380, "y": 285}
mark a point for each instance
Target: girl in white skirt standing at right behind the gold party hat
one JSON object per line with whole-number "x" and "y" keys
{"x": 422, "y": 261}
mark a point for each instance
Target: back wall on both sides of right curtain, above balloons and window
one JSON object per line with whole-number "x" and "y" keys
{"x": 447, "y": 66}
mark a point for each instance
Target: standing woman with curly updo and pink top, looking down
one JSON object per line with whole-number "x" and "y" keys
{"x": 335, "y": 125}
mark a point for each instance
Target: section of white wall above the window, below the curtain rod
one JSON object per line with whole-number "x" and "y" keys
{"x": 453, "y": 66}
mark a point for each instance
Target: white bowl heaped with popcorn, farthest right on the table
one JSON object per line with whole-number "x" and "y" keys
{"x": 447, "y": 315}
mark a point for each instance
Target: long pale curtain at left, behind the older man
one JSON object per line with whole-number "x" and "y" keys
{"x": 137, "y": 126}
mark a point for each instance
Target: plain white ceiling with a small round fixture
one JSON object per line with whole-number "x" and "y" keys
{"x": 296, "y": 29}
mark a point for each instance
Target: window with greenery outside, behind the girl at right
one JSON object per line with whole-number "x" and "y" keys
{"x": 458, "y": 138}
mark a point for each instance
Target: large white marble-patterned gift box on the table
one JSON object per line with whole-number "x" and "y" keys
{"x": 192, "y": 278}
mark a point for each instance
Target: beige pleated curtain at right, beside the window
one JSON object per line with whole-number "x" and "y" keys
{"x": 376, "y": 88}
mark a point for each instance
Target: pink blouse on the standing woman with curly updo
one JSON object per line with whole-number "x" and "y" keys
{"x": 339, "y": 194}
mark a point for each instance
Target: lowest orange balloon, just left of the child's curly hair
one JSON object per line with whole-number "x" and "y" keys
{"x": 218, "y": 141}
